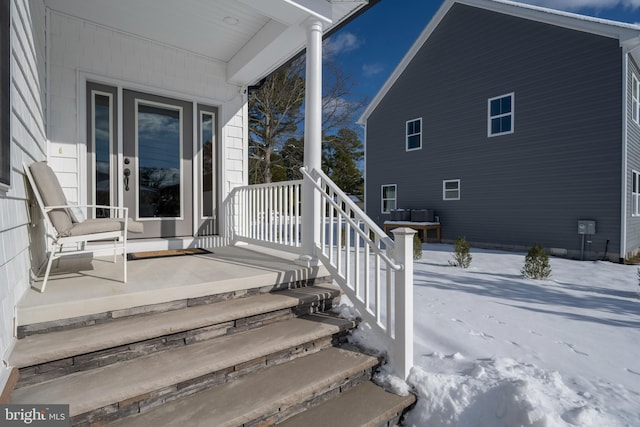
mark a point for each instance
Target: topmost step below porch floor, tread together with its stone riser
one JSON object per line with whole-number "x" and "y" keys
{"x": 50, "y": 355}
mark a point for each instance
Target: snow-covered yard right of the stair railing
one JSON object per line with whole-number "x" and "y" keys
{"x": 493, "y": 349}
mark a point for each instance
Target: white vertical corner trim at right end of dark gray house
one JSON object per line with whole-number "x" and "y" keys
{"x": 626, "y": 51}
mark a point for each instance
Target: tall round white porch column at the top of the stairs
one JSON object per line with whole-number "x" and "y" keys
{"x": 312, "y": 141}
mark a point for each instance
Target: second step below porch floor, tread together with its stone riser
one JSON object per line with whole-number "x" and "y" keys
{"x": 128, "y": 387}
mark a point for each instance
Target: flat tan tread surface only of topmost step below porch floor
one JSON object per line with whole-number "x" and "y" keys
{"x": 51, "y": 346}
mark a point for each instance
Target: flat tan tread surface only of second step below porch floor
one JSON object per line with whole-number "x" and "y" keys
{"x": 89, "y": 390}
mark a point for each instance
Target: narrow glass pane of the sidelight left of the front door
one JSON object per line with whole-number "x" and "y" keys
{"x": 102, "y": 146}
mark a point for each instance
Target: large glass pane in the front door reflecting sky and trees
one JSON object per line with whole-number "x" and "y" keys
{"x": 158, "y": 161}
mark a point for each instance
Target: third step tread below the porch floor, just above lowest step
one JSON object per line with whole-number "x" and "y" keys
{"x": 270, "y": 396}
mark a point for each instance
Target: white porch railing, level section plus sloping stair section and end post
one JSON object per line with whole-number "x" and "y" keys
{"x": 375, "y": 272}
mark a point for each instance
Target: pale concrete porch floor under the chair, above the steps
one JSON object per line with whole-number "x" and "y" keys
{"x": 81, "y": 286}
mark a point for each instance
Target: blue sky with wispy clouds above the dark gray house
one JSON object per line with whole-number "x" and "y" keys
{"x": 372, "y": 45}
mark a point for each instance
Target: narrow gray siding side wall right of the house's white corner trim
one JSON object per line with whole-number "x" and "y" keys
{"x": 633, "y": 161}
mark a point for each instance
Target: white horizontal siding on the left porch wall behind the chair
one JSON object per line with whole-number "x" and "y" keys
{"x": 22, "y": 251}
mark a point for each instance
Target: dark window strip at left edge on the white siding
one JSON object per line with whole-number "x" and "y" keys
{"x": 5, "y": 90}
